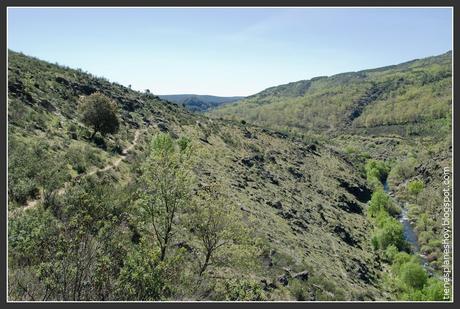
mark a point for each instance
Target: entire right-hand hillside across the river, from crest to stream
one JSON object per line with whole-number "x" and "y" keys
{"x": 394, "y": 122}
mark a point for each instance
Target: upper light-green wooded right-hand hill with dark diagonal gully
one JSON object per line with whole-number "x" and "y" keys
{"x": 414, "y": 93}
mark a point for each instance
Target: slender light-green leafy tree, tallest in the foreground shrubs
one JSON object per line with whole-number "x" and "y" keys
{"x": 166, "y": 188}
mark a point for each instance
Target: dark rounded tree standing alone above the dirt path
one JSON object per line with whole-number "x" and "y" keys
{"x": 99, "y": 112}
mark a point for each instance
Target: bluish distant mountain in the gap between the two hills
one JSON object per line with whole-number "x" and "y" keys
{"x": 199, "y": 103}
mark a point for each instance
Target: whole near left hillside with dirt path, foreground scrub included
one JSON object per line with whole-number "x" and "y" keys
{"x": 304, "y": 202}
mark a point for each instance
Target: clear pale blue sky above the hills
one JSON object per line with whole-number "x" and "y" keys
{"x": 227, "y": 51}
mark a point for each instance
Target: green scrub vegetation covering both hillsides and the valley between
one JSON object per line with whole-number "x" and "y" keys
{"x": 173, "y": 205}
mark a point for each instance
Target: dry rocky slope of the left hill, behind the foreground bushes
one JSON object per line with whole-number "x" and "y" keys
{"x": 306, "y": 200}
